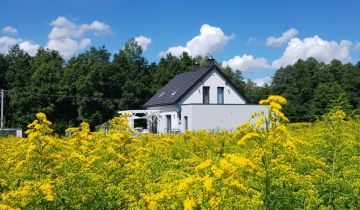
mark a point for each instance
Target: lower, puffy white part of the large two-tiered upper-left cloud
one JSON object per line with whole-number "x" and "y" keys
{"x": 68, "y": 47}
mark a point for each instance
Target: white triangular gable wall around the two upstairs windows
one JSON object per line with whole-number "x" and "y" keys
{"x": 213, "y": 80}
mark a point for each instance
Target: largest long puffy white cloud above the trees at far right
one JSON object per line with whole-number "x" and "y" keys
{"x": 315, "y": 47}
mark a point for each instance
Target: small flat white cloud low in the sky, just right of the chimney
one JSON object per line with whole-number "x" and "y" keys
{"x": 246, "y": 63}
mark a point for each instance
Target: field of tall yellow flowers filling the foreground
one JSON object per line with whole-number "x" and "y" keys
{"x": 268, "y": 164}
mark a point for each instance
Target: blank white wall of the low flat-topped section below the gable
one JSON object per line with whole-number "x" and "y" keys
{"x": 209, "y": 117}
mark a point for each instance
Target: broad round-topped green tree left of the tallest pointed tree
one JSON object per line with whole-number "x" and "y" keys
{"x": 87, "y": 84}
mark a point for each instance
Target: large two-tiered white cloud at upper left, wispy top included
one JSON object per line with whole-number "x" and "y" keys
{"x": 66, "y": 36}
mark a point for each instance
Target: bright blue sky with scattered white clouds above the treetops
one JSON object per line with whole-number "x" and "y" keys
{"x": 255, "y": 37}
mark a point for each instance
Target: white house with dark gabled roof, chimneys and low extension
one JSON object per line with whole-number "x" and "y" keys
{"x": 200, "y": 99}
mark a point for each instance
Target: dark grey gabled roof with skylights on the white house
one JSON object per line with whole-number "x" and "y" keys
{"x": 183, "y": 83}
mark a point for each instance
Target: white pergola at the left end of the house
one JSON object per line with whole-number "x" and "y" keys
{"x": 150, "y": 115}
